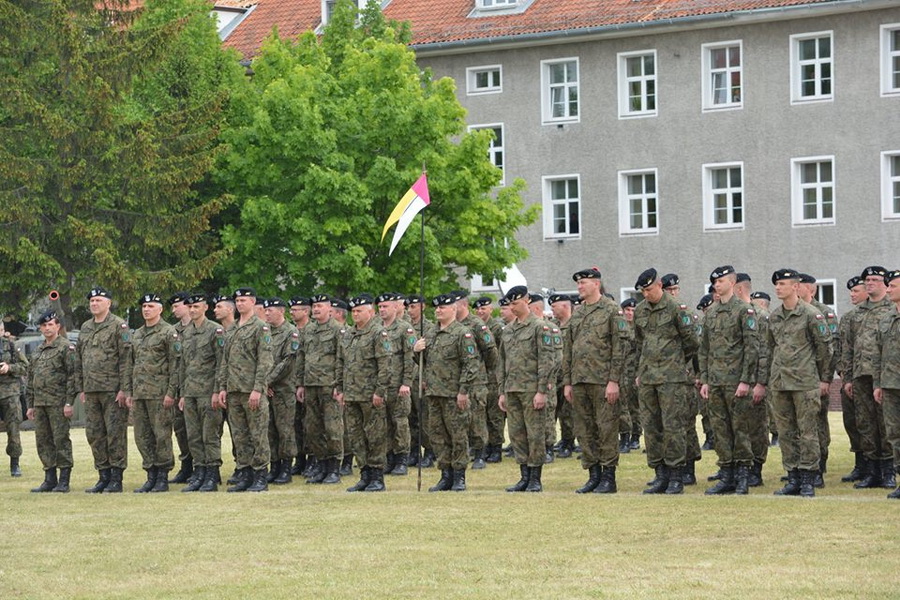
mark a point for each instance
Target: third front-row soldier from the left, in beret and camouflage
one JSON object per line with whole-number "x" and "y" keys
{"x": 150, "y": 389}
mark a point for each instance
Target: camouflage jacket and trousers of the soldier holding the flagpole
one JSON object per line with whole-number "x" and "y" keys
{"x": 451, "y": 368}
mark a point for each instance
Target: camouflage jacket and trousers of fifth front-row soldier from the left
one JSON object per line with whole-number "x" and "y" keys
{"x": 246, "y": 361}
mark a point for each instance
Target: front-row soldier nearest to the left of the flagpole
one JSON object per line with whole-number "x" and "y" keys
{"x": 363, "y": 376}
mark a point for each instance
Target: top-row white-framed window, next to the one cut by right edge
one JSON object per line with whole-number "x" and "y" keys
{"x": 812, "y": 67}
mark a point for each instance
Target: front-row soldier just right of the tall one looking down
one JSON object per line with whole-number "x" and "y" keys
{"x": 728, "y": 354}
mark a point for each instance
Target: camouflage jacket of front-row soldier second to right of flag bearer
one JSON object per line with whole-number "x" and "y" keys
{"x": 594, "y": 344}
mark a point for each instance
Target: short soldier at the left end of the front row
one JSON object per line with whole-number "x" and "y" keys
{"x": 51, "y": 387}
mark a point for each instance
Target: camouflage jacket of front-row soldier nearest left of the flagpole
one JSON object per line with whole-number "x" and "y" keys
{"x": 364, "y": 362}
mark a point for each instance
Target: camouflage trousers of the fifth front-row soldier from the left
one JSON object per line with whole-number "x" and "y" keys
{"x": 250, "y": 429}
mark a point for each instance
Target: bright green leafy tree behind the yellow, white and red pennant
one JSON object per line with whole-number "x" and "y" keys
{"x": 341, "y": 127}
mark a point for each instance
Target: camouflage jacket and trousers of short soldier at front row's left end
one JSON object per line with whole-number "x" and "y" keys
{"x": 51, "y": 385}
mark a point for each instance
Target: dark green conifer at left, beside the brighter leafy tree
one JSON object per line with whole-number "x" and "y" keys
{"x": 109, "y": 127}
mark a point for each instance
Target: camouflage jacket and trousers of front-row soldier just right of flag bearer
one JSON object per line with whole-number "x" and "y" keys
{"x": 527, "y": 362}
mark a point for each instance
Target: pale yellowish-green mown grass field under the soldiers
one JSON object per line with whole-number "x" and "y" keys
{"x": 303, "y": 541}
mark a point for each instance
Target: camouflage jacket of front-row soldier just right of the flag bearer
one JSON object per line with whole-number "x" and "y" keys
{"x": 527, "y": 357}
